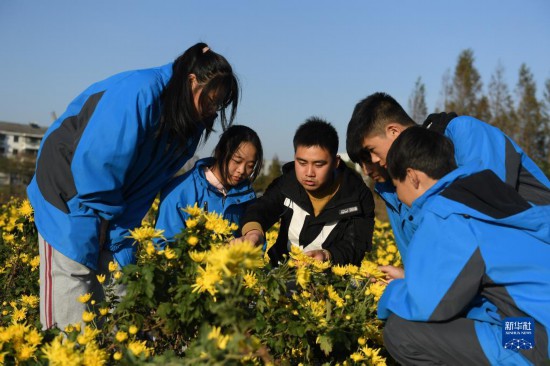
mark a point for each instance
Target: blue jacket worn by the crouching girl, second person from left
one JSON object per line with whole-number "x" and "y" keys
{"x": 191, "y": 188}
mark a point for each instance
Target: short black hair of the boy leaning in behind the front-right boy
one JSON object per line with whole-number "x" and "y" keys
{"x": 371, "y": 115}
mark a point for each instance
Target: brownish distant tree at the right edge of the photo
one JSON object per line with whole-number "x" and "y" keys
{"x": 534, "y": 130}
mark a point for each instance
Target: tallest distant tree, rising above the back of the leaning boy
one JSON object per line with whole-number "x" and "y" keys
{"x": 466, "y": 89}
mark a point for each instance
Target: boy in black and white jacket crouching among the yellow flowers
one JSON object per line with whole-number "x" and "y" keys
{"x": 324, "y": 206}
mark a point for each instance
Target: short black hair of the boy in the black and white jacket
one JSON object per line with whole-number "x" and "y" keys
{"x": 316, "y": 131}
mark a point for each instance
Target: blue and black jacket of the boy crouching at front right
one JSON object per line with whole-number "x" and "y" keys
{"x": 479, "y": 251}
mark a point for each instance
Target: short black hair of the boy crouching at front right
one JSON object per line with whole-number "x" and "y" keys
{"x": 421, "y": 149}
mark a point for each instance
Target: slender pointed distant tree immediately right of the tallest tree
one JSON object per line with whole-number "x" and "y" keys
{"x": 501, "y": 104}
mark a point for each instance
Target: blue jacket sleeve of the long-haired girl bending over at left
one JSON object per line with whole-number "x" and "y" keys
{"x": 108, "y": 147}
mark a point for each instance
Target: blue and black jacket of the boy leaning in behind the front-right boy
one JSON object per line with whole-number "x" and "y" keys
{"x": 479, "y": 143}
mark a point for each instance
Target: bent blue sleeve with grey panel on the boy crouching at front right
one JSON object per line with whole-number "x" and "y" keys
{"x": 442, "y": 273}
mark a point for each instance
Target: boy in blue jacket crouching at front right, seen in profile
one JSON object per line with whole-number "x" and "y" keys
{"x": 477, "y": 260}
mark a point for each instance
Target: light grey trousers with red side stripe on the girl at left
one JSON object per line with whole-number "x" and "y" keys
{"x": 62, "y": 280}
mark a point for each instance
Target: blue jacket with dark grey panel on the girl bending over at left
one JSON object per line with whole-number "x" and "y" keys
{"x": 103, "y": 162}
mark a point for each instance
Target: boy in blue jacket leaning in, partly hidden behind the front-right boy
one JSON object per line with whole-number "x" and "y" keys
{"x": 379, "y": 119}
